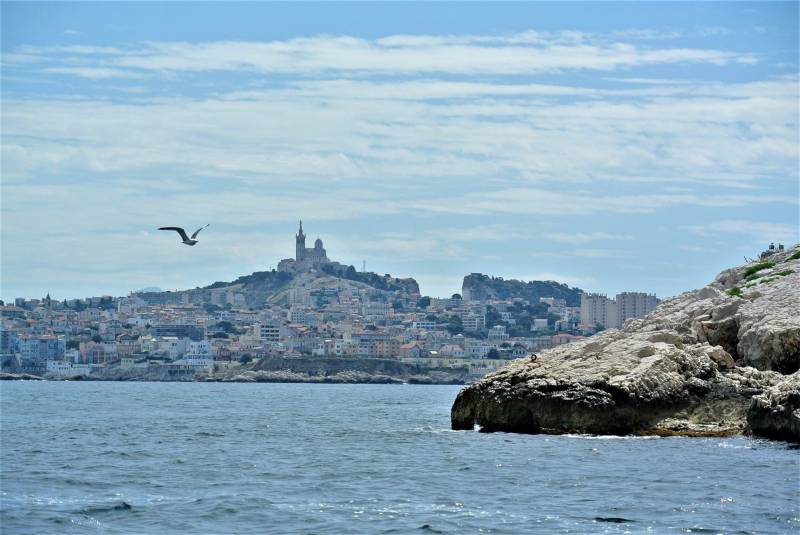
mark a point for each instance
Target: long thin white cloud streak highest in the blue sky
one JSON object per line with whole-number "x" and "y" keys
{"x": 521, "y": 53}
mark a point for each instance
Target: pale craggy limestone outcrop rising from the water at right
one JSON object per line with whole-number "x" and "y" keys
{"x": 692, "y": 367}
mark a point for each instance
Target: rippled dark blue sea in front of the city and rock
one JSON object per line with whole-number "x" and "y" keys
{"x": 293, "y": 458}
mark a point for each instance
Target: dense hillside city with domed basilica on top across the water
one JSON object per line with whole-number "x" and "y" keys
{"x": 309, "y": 307}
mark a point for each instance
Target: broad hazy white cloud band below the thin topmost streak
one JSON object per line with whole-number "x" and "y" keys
{"x": 373, "y": 130}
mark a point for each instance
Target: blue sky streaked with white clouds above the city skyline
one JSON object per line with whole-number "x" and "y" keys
{"x": 610, "y": 146}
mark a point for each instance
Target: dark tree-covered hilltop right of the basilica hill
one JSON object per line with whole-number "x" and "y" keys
{"x": 480, "y": 287}
